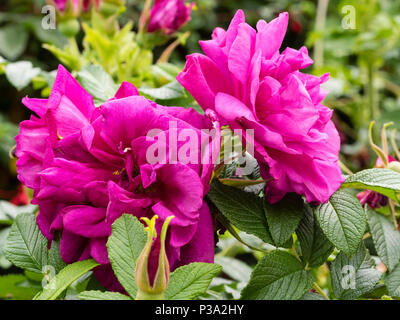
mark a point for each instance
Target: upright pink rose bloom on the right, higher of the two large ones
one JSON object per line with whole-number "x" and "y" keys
{"x": 251, "y": 85}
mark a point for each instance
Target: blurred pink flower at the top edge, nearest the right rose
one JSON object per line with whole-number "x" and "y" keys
{"x": 169, "y": 15}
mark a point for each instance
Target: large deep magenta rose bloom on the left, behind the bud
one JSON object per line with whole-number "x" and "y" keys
{"x": 88, "y": 166}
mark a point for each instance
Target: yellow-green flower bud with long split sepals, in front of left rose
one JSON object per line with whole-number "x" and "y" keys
{"x": 155, "y": 291}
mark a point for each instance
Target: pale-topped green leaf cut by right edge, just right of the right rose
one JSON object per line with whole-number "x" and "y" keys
{"x": 384, "y": 181}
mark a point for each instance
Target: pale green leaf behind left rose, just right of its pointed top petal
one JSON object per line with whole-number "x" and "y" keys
{"x": 97, "y": 82}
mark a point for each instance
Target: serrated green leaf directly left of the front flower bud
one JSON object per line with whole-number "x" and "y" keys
{"x": 125, "y": 244}
